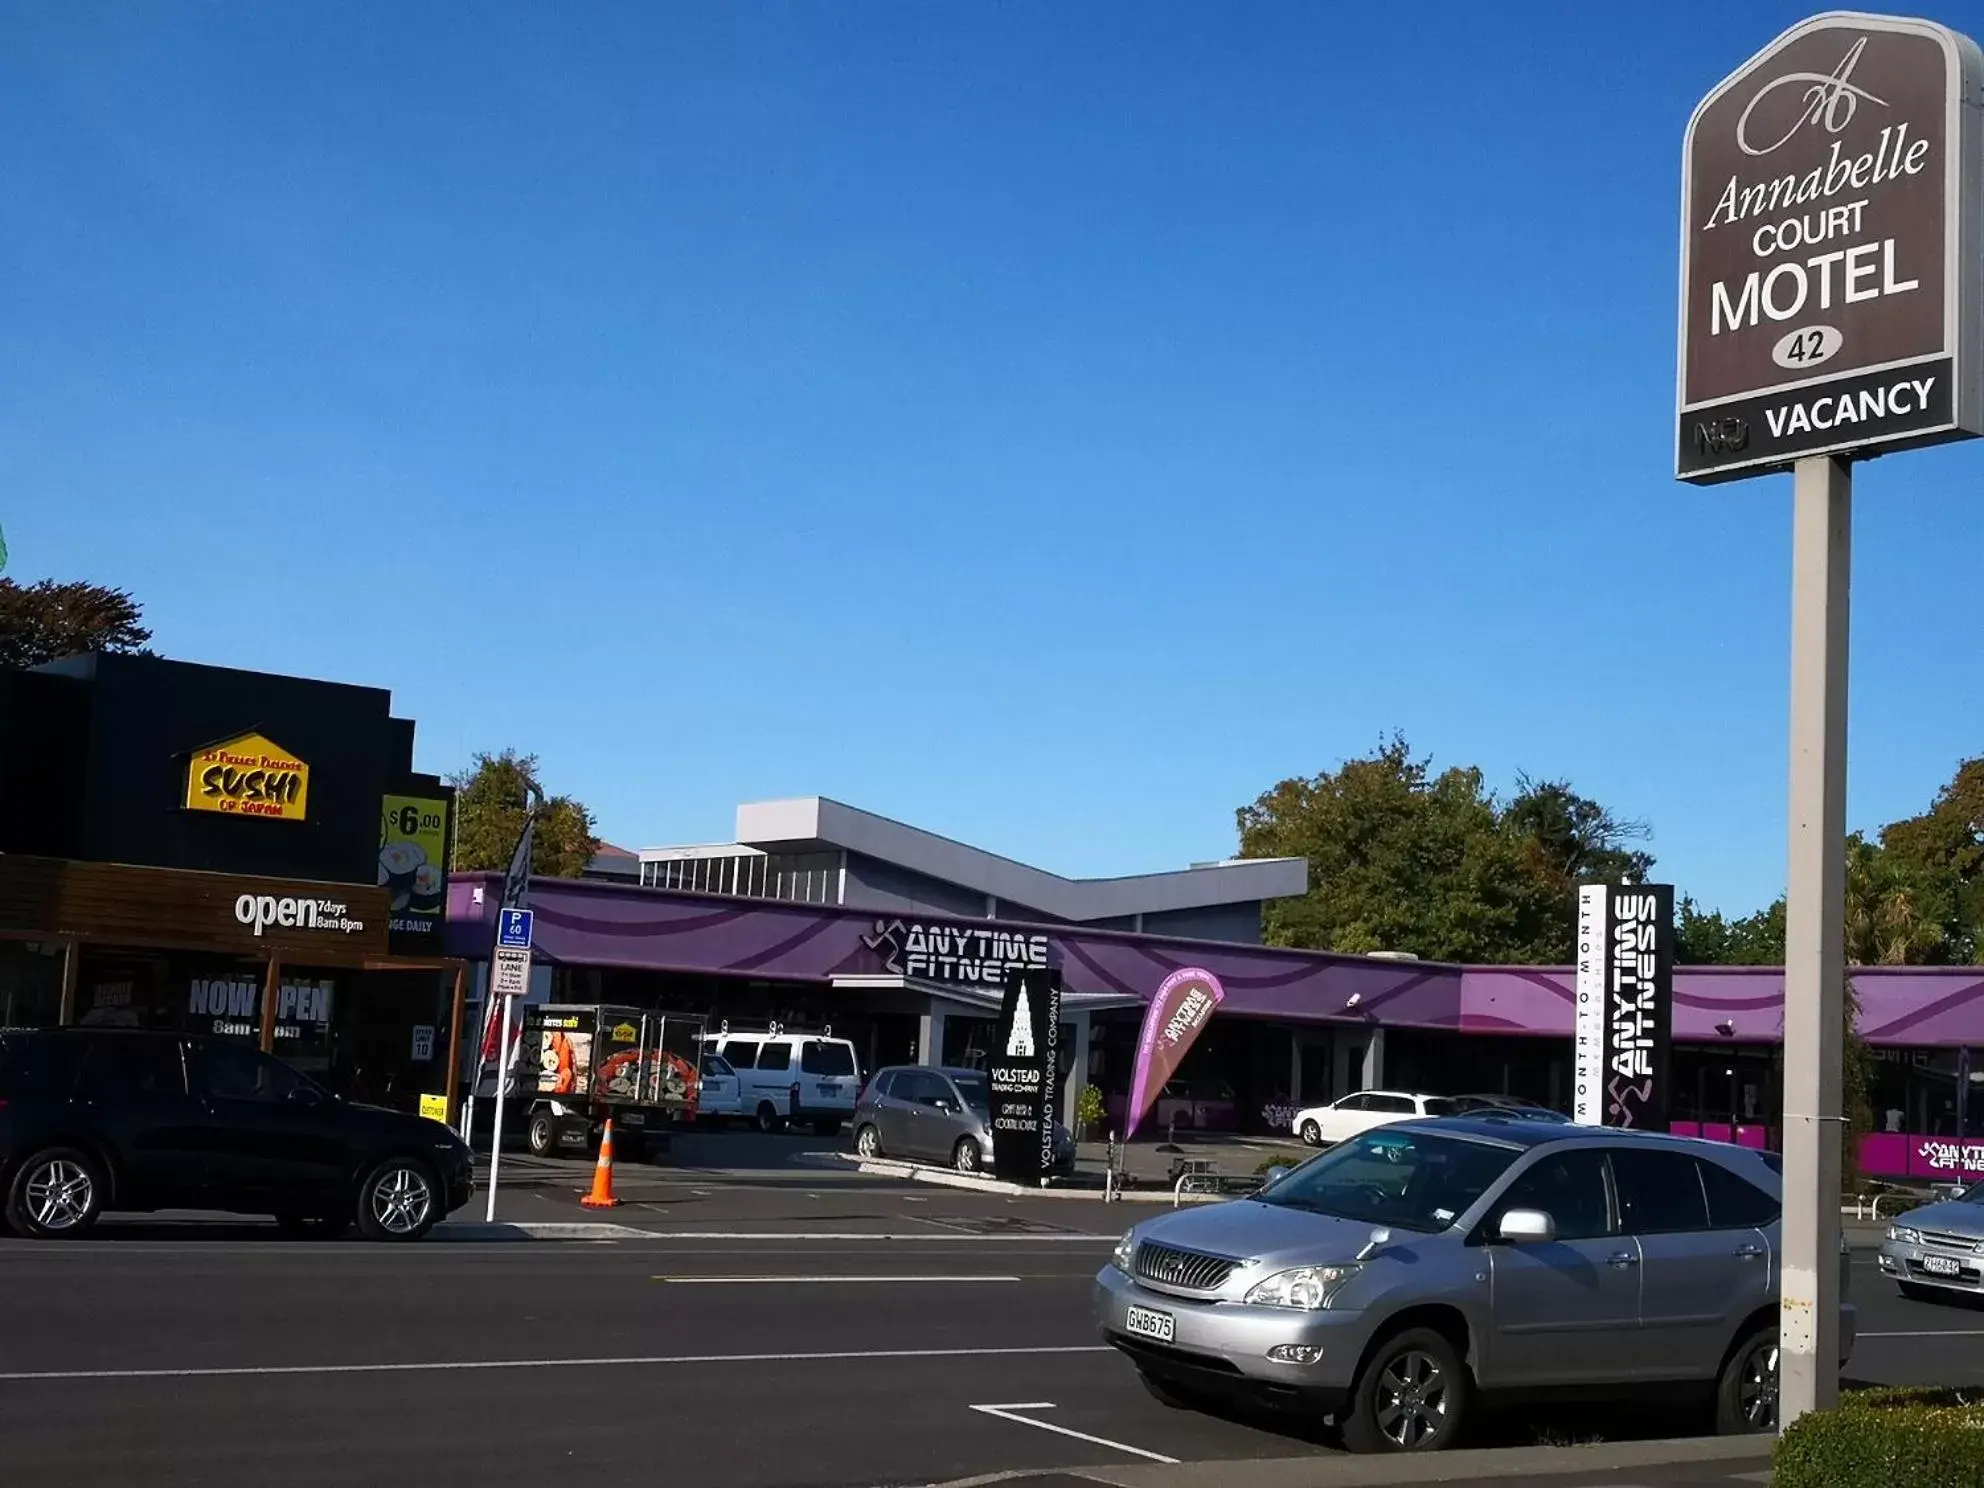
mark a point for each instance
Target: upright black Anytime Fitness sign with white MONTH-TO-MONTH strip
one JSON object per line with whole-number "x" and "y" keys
{"x": 1626, "y": 1005}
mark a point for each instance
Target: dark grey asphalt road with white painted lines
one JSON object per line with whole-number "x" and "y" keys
{"x": 761, "y": 1334}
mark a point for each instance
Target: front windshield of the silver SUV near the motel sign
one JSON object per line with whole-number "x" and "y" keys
{"x": 1406, "y": 1179}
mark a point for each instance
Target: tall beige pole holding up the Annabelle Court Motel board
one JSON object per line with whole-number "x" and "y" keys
{"x": 1814, "y": 937}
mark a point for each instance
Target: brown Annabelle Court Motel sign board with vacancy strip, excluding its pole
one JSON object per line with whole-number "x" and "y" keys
{"x": 1830, "y": 253}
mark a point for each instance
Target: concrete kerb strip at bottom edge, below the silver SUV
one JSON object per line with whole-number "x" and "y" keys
{"x": 1469, "y": 1467}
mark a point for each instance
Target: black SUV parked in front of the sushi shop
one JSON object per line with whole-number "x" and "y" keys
{"x": 124, "y": 1120}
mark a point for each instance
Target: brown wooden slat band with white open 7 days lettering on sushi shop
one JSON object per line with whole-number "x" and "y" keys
{"x": 140, "y": 906}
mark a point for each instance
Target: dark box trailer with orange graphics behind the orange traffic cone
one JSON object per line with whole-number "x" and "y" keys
{"x": 584, "y": 1062}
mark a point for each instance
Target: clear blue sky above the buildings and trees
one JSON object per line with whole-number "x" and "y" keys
{"x": 1045, "y": 424}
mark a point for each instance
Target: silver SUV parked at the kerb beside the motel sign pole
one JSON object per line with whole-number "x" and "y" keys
{"x": 1408, "y": 1271}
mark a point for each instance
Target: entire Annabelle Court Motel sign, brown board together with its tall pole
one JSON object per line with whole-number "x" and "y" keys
{"x": 1832, "y": 309}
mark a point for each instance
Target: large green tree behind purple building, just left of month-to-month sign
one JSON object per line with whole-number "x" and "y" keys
{"x": 1408, "y": 860}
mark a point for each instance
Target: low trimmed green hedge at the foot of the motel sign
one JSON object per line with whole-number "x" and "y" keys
{"x": 1888, "y": 1439}
